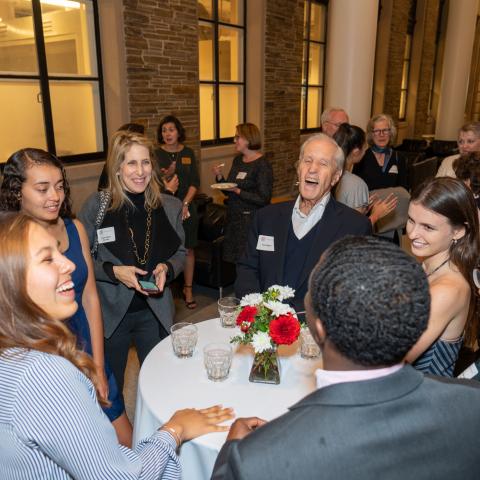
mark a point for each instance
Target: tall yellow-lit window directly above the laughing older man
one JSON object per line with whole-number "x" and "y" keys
{"x": 313, "y": 65}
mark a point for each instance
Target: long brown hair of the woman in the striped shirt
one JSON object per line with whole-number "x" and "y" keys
{"x": 23, "y": 324}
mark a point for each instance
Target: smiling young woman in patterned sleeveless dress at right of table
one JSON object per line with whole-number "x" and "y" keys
{"x": 444, "y": 233}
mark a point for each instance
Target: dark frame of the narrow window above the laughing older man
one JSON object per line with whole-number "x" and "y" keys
{"x": 306, "y": 61}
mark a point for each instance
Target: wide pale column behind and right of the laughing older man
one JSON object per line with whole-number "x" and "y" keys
{"x": 352, "y": 30}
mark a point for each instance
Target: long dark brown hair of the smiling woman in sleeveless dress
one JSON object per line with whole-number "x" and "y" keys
{"x": 452, "y": 199}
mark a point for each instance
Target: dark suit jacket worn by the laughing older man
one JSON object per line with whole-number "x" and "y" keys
{"x": 257, "y": 269}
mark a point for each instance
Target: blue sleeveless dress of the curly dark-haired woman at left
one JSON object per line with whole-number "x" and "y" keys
{"x": 78, "y": 324}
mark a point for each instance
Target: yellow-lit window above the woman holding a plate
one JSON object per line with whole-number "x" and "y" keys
{"x": 221, "y": 51}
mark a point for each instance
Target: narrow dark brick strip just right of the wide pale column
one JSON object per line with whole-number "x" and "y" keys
{"x": 396, "y": 51}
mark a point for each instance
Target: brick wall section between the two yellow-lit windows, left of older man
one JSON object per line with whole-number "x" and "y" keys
{"x": 283, "y": 70}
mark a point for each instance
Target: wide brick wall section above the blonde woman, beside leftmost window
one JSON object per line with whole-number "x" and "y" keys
{"x": 161, "y": 42}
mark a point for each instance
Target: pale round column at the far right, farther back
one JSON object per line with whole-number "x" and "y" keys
{"x": 462, "y": 16}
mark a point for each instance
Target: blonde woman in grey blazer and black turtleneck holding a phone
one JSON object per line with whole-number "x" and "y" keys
{"x": 136, "y": 236}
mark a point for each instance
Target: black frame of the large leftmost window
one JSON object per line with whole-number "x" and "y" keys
{"x": 44, "y": 78}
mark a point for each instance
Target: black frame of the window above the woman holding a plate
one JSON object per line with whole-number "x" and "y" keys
{"x": 216, "y": 82}
